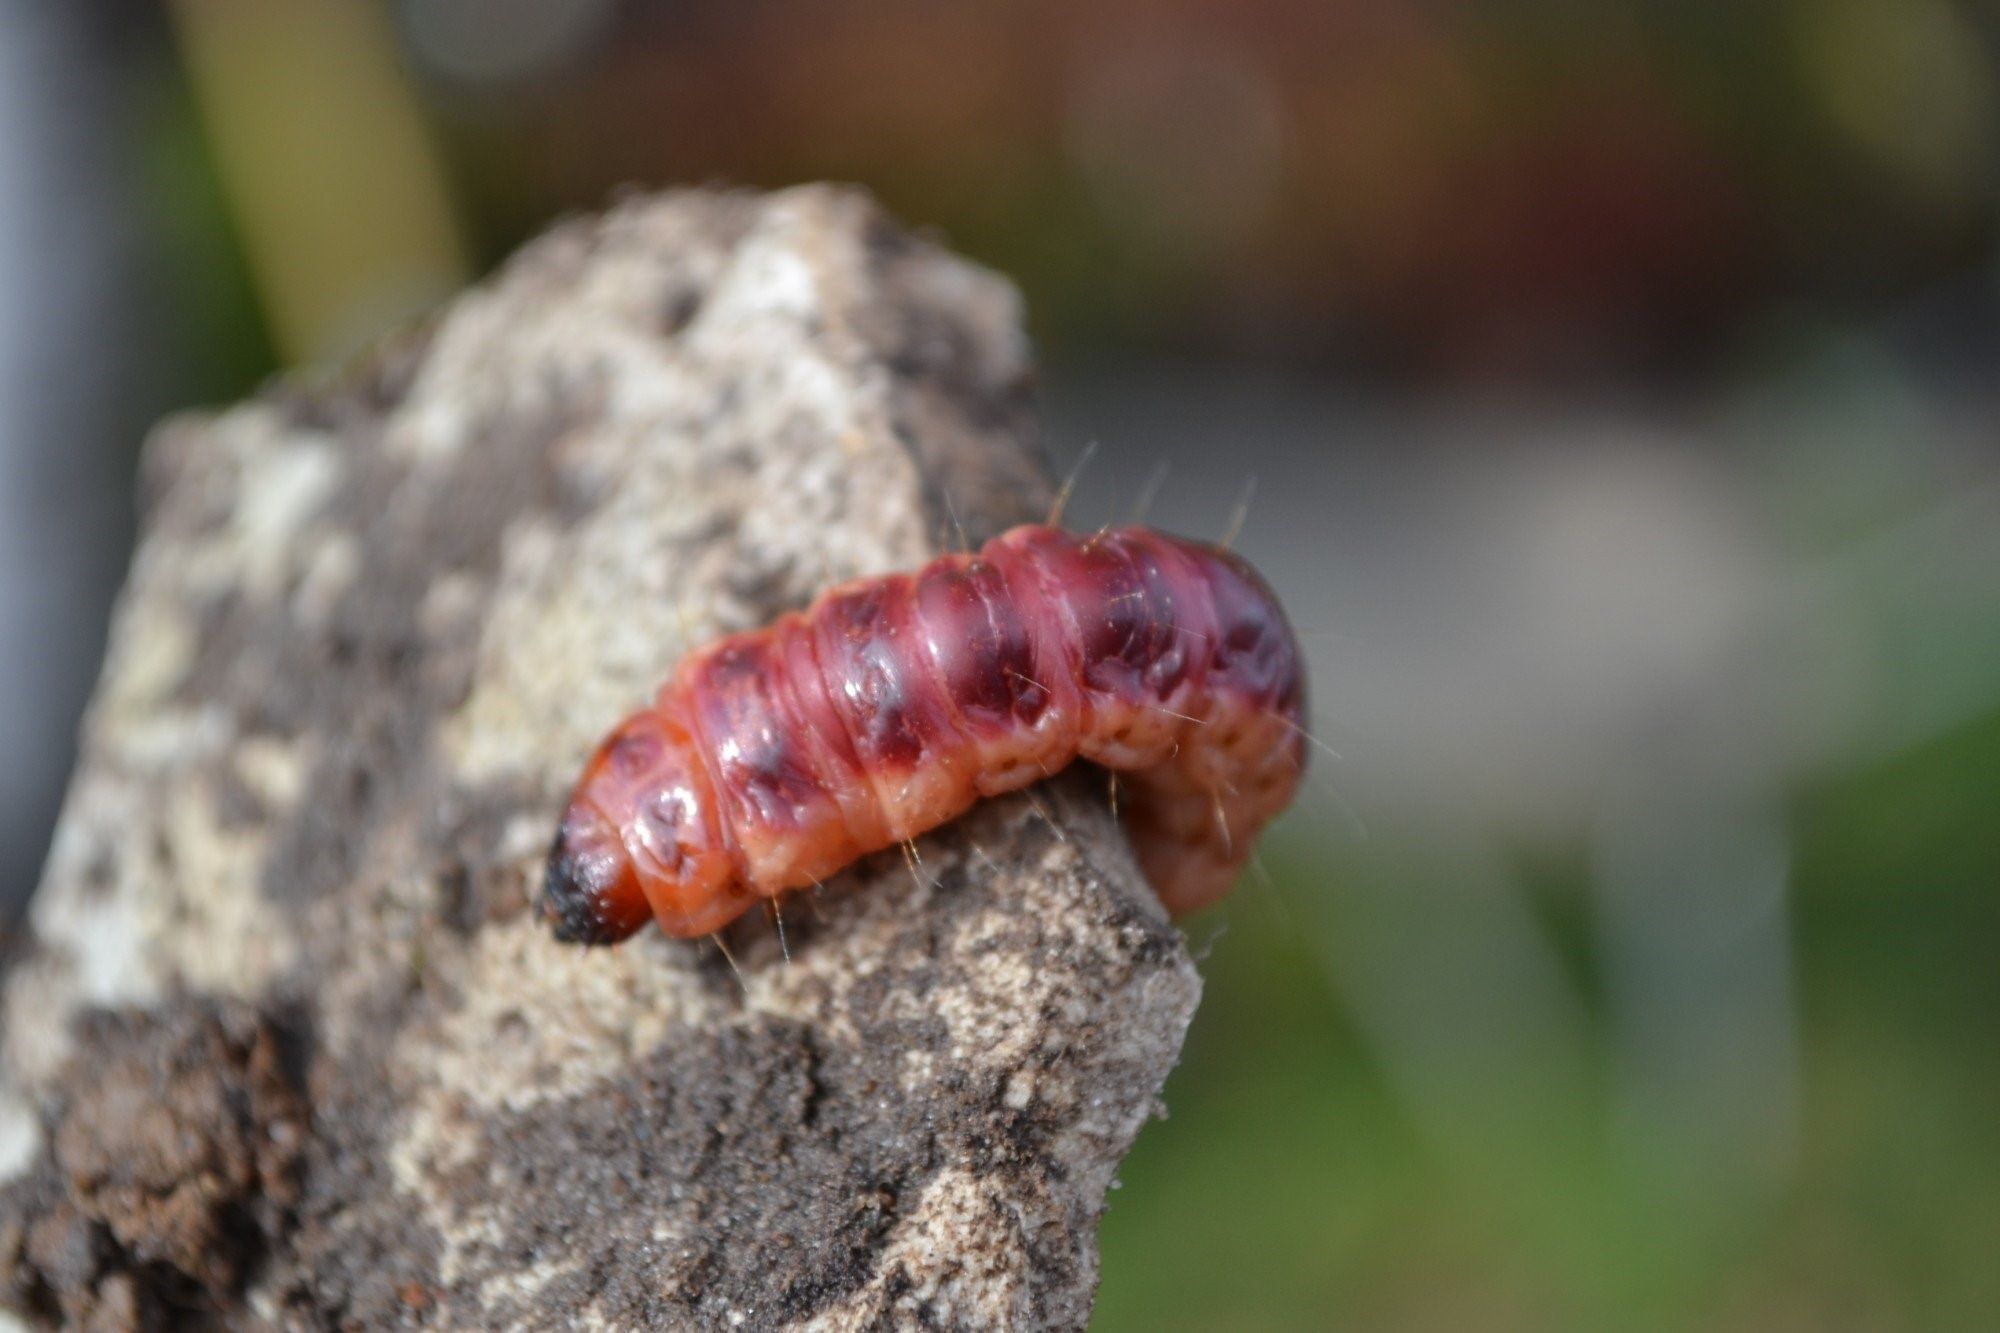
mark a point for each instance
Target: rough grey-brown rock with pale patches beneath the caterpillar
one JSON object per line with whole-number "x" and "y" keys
{"x": 285, "y": 1042}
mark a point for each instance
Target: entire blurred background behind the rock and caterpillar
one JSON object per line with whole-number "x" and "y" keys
{"x": 1619, "y": 389}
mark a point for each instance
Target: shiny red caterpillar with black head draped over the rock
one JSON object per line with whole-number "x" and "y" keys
{"x": 777, "y": 758}
